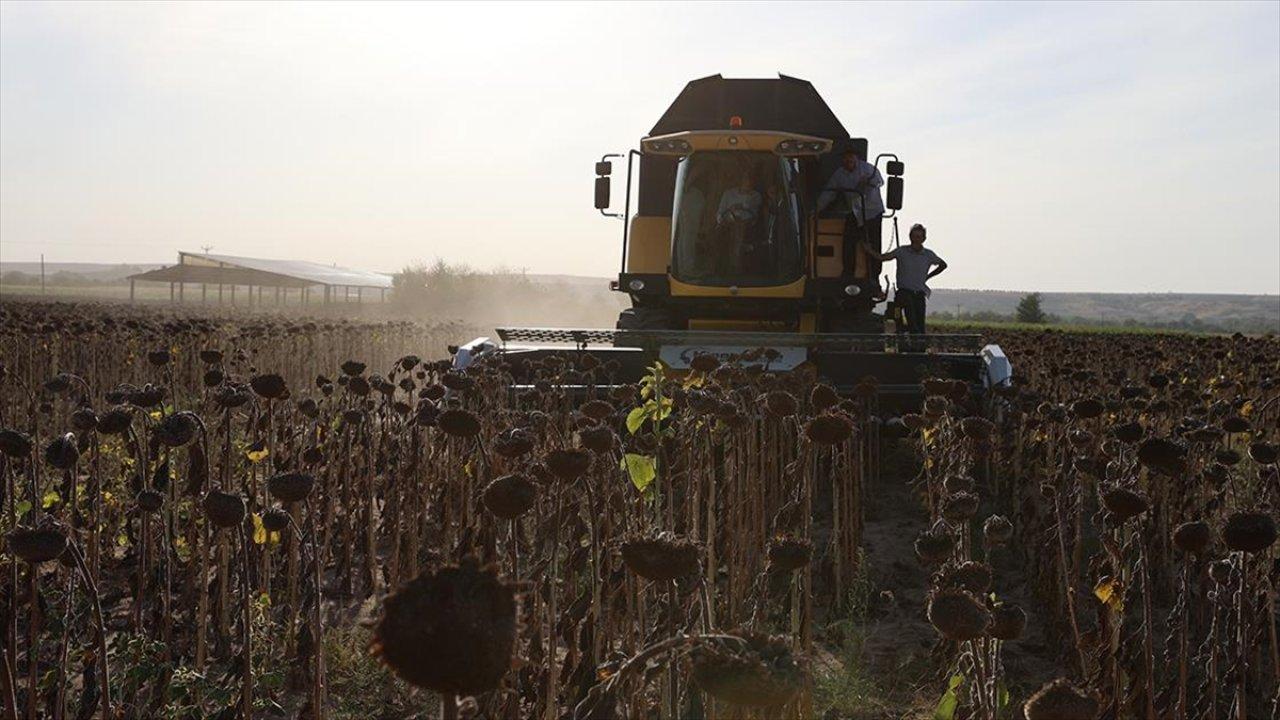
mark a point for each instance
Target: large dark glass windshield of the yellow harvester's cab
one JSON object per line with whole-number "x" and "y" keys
{"x": 737, "y": 220}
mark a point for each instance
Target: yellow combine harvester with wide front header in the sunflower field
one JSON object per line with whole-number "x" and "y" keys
{"x": 703, "y": 281}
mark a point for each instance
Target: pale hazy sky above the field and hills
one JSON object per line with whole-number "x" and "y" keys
{"x": 1058, "y": 148}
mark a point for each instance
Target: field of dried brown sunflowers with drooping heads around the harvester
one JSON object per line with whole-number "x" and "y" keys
{"x": 199, "y": 512}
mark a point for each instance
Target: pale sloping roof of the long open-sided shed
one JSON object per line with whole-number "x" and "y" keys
{"x": 203, "y": 267}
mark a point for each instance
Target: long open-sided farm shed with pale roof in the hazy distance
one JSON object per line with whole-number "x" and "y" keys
{"x": 228, "y": 274}
